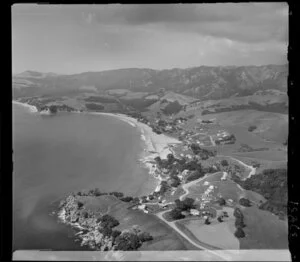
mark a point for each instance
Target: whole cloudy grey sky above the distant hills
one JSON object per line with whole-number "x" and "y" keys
{"x": 69, "y": 39}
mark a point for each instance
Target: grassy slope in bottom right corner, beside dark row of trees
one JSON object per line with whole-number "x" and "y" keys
{"x": 263, "y": 230}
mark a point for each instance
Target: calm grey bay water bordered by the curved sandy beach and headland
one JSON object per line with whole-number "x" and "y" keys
{"x": 55, "y": 155}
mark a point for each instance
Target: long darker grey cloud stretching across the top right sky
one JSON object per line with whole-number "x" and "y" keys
{"x": 244, "y": 22}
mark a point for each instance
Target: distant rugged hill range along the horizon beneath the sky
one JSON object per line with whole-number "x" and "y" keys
{"x": 201, "y": 83}
